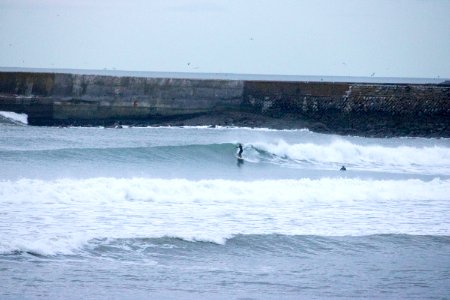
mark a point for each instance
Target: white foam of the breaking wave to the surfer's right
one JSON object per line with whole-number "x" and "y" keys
{"x": 424, "y": 160}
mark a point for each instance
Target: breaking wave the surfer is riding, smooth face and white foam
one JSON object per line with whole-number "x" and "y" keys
{"x": 424, "y": 160}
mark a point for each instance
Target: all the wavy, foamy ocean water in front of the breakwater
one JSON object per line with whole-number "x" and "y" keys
{"x": 169, "y": 213}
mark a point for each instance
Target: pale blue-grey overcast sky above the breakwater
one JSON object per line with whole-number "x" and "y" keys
{"x": 378, "y": 38}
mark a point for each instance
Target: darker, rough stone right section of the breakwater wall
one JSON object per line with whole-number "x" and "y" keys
{"x": 370, "y": 109}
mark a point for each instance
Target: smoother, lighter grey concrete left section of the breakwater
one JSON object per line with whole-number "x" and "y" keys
{"x": 66, "y": 98}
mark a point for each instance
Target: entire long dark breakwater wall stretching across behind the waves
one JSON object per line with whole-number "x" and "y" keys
{"x": 370, "y": 109}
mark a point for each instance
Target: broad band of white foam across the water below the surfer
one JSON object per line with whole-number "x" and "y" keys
{"x": 52, "y": 217}
